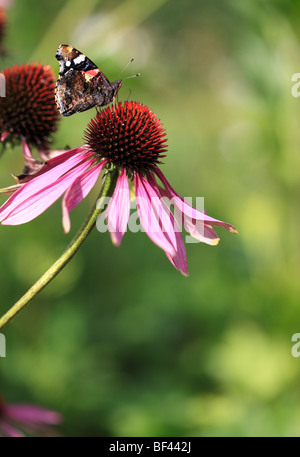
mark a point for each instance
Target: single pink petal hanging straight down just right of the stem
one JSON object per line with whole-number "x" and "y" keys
{"x": 118, "y": 210}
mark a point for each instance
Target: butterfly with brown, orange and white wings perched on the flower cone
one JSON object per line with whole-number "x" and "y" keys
{"x": 81, "y": 85}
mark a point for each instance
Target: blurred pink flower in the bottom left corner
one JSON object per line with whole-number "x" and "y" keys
{"x": 18, "y": 420}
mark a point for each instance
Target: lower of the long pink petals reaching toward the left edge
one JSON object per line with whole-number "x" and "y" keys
{"x": 37, "y": 203}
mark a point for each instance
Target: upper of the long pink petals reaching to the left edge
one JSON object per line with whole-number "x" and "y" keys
{"x": 50, "y": 173}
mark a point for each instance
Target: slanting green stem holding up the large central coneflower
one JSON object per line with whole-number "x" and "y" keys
{"x": 90, "y": 222}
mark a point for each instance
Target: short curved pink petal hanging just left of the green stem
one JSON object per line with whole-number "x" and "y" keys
{"x": 78, "y": 191}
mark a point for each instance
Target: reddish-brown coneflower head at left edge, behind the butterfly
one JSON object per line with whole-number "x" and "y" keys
{"x": 28, "y": 111}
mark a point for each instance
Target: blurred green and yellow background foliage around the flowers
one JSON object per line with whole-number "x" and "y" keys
{"x": 120, "y": 343}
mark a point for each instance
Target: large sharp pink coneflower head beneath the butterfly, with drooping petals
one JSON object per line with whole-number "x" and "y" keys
{"x": 131, "y": 139}
